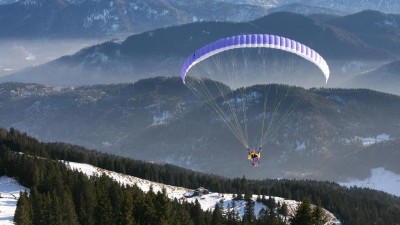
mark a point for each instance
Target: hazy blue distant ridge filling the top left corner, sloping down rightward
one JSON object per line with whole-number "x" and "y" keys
{"x": 110, "y": 18}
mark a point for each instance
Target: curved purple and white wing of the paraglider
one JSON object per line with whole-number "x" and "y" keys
{"x": 255, "y": 41}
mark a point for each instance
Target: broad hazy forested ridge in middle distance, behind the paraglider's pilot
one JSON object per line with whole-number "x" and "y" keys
{"x": 160, "y": 120}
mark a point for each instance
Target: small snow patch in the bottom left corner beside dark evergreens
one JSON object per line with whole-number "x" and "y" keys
{"x": 9, "y": 194}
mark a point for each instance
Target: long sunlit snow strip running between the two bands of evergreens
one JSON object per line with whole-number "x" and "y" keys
{"x": 207, "y": 201}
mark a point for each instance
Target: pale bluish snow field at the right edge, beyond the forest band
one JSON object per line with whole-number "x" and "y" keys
{"x": 381, "y": 179}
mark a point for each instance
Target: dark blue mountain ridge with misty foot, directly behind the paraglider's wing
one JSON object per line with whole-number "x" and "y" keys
{"x": 351, "y": 45}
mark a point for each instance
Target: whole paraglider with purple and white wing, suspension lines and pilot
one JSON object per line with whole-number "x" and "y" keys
{"x": 233, "y": 105}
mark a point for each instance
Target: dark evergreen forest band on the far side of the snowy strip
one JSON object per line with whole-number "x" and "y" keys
{"x": 350, "y": 205}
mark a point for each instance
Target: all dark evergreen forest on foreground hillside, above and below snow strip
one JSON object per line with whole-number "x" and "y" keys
{"x": 61, "y": 196}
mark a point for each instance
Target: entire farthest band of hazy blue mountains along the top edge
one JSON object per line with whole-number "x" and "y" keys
{"x": 111, "y": 18}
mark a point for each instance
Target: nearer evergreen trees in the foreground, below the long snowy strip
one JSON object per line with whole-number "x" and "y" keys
{"x": 61, "y": 196}
